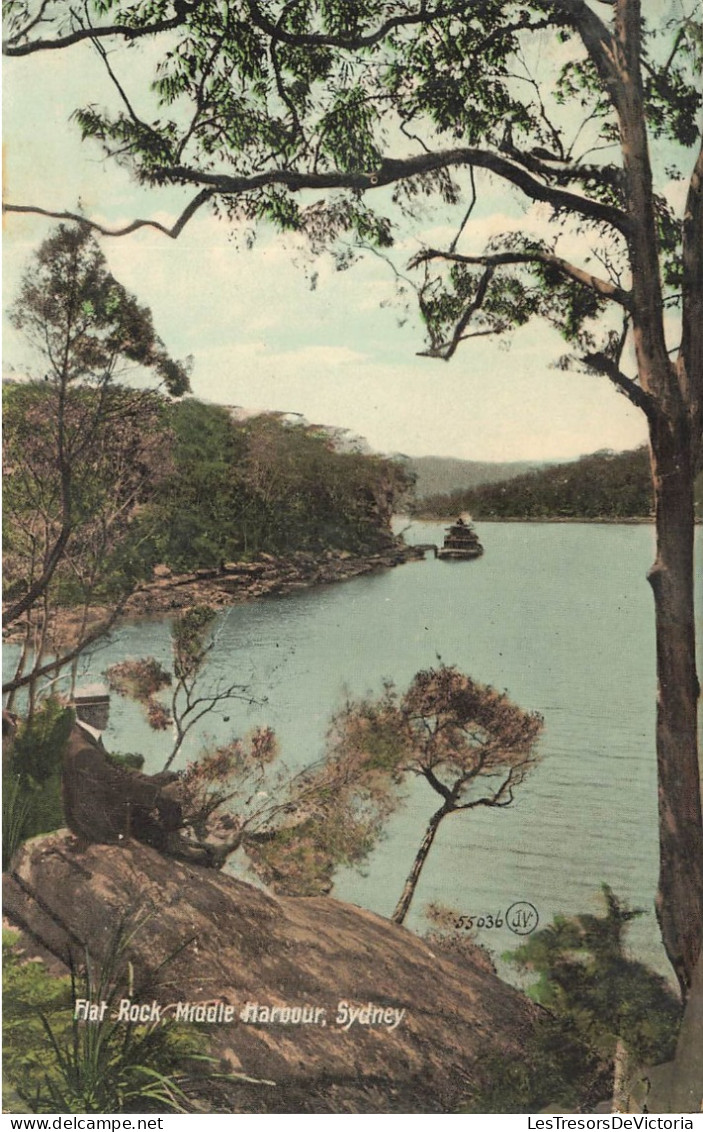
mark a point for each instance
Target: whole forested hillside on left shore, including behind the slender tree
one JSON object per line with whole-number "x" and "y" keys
{"x": 210, "y": 488}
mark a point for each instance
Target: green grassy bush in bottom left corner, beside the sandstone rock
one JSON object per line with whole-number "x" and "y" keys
{"x": 55, "y": 1062}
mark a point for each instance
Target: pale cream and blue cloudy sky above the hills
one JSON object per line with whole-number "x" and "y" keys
{"x": 270, "y": 329}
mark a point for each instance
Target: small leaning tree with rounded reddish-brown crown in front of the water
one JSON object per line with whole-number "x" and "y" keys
{"x": 470, "y": 744}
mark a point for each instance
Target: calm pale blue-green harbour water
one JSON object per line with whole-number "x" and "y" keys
{"x": 560, "y": 616}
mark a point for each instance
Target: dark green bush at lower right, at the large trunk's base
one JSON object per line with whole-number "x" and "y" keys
{"x": 606, "y": 1018}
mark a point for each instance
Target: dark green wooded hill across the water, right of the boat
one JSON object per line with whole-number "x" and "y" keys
{"x": 603, "y": 486}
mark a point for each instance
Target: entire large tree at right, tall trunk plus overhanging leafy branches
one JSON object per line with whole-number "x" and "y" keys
{"x": 270, "y": 99}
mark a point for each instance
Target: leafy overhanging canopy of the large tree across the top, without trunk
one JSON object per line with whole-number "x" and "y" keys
{"x": 253, "y": 104}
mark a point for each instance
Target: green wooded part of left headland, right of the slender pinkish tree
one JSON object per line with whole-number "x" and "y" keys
{"x": 267, "y": 485}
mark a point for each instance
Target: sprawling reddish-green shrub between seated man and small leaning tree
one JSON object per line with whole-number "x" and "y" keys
{"x": 295, "y": 828}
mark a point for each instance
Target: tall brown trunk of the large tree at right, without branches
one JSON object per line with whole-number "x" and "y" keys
{"x": 673, "y": 428}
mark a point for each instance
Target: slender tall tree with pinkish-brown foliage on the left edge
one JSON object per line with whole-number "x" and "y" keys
{"x": 81, "y": 452}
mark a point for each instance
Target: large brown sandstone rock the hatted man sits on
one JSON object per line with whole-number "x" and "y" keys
{"x": 235, "y": 945}
